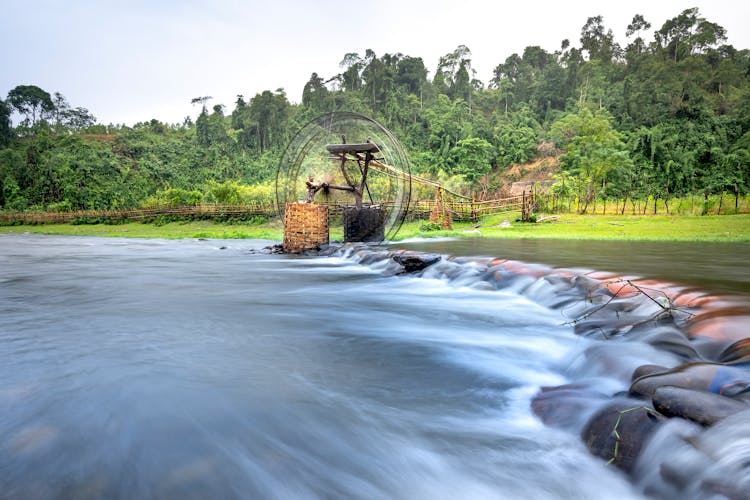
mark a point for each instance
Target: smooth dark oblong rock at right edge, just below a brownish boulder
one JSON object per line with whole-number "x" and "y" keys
{"x": 699, "y": 406}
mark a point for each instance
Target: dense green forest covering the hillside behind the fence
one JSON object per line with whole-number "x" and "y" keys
{"x": 659, "y": 118}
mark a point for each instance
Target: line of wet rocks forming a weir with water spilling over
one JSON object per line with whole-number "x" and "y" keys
{"x": 683, "y": 428}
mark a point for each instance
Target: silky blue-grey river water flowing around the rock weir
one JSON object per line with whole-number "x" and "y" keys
{"x": 200, "y": 369}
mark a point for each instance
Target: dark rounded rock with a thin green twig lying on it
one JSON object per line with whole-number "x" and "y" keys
{"x": 618, "y": 431}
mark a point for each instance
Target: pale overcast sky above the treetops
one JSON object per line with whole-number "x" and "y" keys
{"x": 134, "y": 60}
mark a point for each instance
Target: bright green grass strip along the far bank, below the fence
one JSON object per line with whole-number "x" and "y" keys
{"x": 568, "y": 226}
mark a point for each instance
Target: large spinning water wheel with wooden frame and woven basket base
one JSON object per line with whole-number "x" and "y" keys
{"x": 362, "y": 187}
